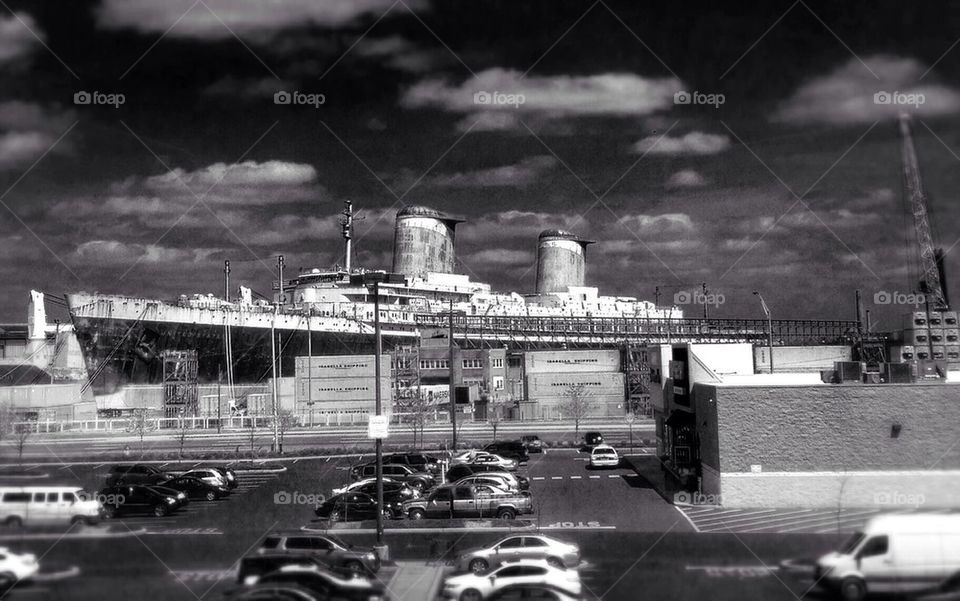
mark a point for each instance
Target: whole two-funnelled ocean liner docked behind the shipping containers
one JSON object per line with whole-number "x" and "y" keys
{"x": 331, "y": 312}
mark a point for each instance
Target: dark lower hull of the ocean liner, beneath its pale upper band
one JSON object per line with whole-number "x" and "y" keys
{"x": 120, "y": 351}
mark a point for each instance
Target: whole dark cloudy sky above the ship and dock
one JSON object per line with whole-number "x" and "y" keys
{"x": 782, "y": 173}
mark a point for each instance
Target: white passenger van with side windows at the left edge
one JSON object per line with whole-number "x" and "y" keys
{"x": 49, "y": 504}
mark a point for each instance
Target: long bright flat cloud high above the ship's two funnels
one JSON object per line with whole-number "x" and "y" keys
{"x": 618, "y": 94}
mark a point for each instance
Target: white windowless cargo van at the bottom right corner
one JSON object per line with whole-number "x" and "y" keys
{"x": 896, "y": 554}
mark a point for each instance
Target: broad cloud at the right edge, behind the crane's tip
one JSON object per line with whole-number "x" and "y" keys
{"x": 846, "y": 95}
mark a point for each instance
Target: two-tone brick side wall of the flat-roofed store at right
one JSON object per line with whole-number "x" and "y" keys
{"x": 796, "y": 445}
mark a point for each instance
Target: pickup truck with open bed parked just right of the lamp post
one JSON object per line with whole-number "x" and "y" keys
{"x": 453, "y": 501}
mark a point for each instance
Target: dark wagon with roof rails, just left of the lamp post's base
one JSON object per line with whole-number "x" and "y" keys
{"x": 330, "y": 552}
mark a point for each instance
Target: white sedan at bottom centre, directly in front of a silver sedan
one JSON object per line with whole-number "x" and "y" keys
{"x": 474, "y": 587}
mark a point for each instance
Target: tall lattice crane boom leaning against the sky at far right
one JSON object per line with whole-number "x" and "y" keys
{"x": 931, "y": 260}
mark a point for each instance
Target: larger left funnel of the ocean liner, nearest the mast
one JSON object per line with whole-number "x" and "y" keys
{"x": 423, "y": 242}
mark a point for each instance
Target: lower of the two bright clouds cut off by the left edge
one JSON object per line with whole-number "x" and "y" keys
{"x": 27, "y": 130}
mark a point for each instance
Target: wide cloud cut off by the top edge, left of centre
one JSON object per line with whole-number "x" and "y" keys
{"x": 253, "y": 18}
